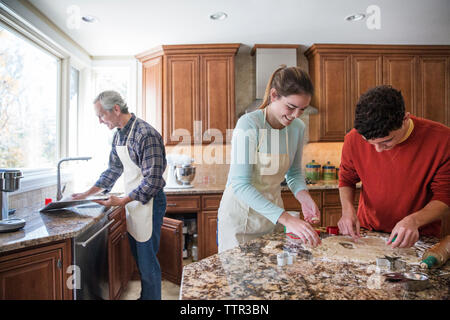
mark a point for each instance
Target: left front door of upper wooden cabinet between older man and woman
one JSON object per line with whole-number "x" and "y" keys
{"x": 181, "y": 99}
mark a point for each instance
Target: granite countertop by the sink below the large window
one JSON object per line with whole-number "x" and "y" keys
{"x": 41, "y": 228}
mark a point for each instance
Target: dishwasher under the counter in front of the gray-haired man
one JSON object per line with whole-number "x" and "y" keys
{"x": 90, "y": 252}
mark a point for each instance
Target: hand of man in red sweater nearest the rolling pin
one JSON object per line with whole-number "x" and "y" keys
{"x": 407, "y": 232}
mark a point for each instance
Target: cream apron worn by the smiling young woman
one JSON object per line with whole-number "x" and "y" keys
{"x": 237, "y": 222}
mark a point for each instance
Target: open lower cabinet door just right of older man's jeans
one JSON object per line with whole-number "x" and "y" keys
{"x": 170, "y": 254}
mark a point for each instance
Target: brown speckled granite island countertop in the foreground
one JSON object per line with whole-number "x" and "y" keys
{"x": 250, "y": 271}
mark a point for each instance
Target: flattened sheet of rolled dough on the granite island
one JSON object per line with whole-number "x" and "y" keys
{"x": 365, "y": 250}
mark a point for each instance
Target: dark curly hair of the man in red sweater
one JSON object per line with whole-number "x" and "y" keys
{"x": 379, "y": 111}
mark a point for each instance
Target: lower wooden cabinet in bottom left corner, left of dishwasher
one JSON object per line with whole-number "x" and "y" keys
{"x": 37, "y": 273}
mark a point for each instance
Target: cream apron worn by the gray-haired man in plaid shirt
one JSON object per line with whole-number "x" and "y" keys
{"x": 139, "y": 216}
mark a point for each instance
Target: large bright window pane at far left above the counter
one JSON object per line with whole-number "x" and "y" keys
{"x": 28, "y": 103}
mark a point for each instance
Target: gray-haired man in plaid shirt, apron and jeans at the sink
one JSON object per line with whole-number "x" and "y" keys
{"x": 138, "y": 152}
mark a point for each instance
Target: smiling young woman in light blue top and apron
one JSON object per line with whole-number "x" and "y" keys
{"x": 267, "y": 147}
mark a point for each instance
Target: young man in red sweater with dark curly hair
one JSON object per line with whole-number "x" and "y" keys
{"x": 403, "y": 163}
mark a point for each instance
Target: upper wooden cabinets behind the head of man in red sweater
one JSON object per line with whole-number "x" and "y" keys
{"x": 341, "y": 73}
